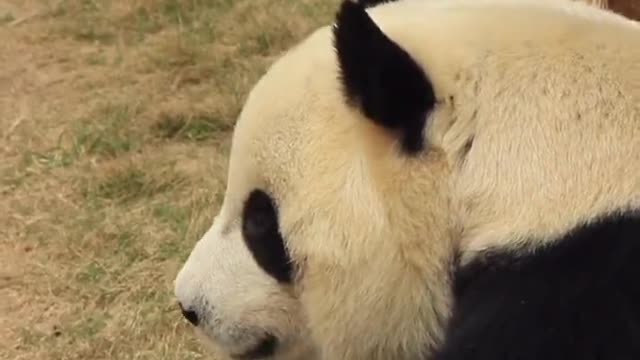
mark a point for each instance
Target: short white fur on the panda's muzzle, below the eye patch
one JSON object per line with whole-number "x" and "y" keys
{"x": 238, "y": 313}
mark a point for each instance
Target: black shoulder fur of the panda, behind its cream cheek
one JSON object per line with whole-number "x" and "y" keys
{"x": 578, "y": 298}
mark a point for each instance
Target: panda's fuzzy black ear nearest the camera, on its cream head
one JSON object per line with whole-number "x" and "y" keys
{"x": 380, "y": 77}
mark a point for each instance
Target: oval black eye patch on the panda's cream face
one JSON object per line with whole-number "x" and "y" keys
{"x": 261, "y": 233}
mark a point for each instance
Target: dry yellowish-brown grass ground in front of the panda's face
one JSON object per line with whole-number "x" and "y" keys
{"x": 115, "y": 119}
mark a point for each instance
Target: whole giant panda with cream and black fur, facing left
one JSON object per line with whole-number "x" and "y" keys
{"x": 433, "y": 180}
